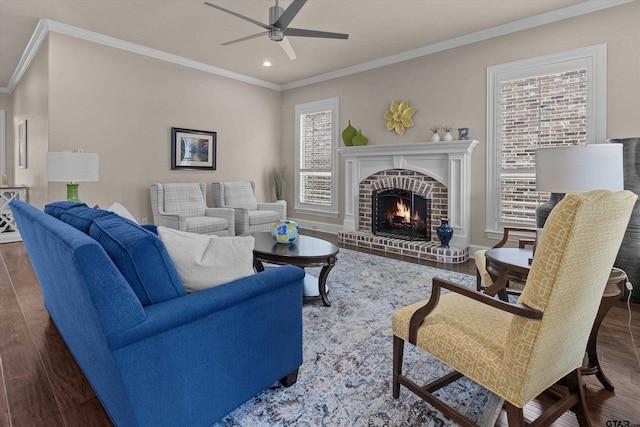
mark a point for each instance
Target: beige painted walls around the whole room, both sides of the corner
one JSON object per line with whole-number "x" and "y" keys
{"x": 77, "y": 94}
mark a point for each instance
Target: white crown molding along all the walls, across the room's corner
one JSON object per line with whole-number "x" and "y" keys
{"x": 46, "y": 25}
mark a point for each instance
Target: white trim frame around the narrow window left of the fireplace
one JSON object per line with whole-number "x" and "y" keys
{"x": 332, "y": 104}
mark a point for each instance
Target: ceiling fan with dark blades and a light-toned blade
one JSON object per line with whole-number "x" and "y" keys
{"x": 278, "y": 28}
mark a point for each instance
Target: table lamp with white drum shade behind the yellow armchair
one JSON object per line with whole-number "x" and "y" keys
{"x": 576, "y": 169}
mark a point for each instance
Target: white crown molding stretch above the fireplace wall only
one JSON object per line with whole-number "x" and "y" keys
{"x": 588, "y": 6}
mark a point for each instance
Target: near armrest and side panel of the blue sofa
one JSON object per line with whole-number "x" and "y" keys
{"x": 196, "y": 358}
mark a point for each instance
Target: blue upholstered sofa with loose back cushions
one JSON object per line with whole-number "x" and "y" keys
{"x": 155, "y": 355}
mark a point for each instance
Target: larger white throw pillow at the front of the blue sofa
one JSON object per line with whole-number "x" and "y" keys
{"x": 206, "y": 261}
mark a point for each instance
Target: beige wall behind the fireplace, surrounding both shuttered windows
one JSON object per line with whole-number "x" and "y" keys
{"x": 449, "y": 87}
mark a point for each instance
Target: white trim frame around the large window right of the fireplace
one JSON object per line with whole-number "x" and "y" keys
{"x": 593, "y": 58}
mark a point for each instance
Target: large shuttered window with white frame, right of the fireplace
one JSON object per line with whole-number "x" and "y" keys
{"x": 553, "y": 100}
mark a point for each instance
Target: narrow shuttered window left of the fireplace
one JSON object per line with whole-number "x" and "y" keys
{"x": 316, "y": 160}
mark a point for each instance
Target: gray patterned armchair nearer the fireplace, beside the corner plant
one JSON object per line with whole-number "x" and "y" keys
{"x": 250, "y": 215}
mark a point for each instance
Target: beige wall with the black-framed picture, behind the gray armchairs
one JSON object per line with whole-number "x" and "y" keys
{"x": 122, "y": 106}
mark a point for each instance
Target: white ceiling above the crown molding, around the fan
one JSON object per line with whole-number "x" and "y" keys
{"x": 378, "y": 30}
